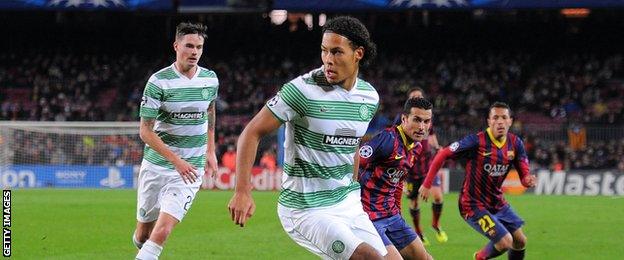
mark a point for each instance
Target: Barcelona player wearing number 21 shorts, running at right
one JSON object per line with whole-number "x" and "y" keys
{"x": 489, "y": 155}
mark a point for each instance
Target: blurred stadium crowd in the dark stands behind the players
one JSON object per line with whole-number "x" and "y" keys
{"x": 551, "y": 91}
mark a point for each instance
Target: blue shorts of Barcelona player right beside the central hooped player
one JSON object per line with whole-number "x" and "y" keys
{"x": 394, "y": 231}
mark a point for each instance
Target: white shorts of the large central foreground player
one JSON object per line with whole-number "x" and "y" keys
{"x": 332, "y": 232}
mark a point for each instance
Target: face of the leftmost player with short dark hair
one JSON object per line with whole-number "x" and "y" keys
{"x": 189, "y": 49}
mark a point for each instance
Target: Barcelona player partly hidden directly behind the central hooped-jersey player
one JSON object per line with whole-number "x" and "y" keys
{"x": 384, "y": 163}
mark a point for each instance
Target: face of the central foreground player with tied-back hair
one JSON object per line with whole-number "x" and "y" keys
{"x": 340, "y": 61}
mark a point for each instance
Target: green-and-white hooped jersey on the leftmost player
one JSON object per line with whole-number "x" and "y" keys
{"x": 180, "y": 107}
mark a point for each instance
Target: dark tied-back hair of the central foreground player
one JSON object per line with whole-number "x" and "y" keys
{"x": 356, "y": 32}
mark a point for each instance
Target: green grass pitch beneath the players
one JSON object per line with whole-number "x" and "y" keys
{"x": 97, "y": 224}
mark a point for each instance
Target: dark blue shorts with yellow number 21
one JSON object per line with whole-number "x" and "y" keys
{"x": 495, "y": 226}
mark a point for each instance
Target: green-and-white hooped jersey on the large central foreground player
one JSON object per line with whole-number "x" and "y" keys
{"x": 324, "y": 126}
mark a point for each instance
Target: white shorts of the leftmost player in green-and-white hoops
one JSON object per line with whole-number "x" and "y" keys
{"x": 164, "y": 192}
